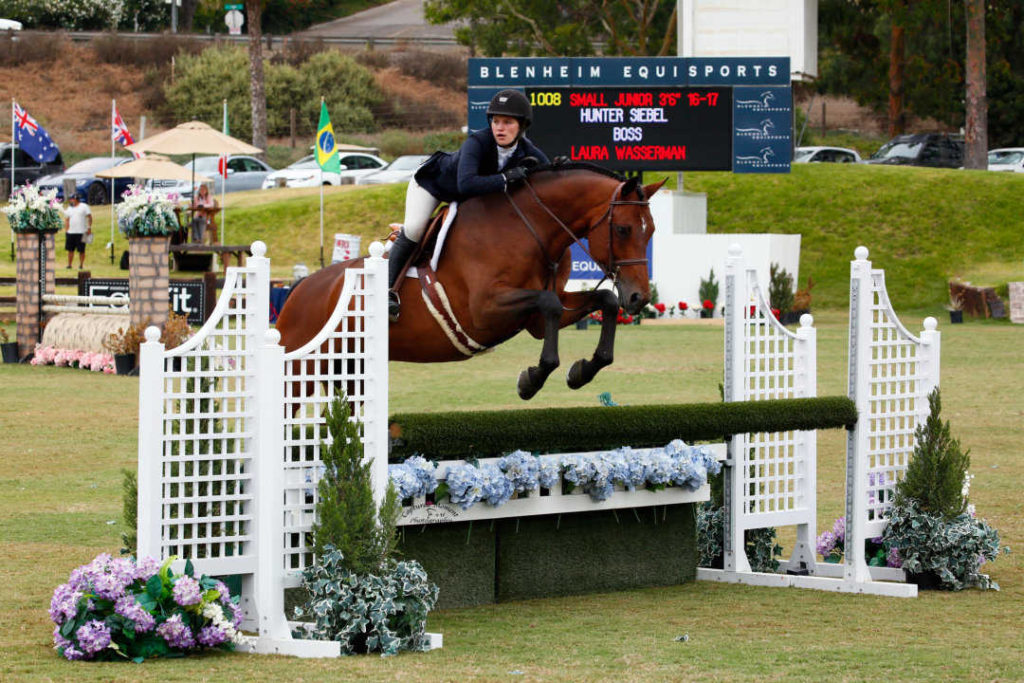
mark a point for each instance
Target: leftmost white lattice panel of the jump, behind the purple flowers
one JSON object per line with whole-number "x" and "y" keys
{"x": 205, "y": 467}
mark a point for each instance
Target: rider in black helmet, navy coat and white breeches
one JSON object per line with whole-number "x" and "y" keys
{"x": 487, "y": 162}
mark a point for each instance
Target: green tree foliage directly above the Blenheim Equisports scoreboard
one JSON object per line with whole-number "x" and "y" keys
{"x": 566, "y": 29}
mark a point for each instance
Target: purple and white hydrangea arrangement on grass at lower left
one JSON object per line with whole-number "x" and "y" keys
{"x": 117, "y": 609}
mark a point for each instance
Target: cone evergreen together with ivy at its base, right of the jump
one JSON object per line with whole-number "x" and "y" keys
{"x": 940, "y": 539}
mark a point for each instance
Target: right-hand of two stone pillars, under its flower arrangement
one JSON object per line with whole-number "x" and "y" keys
{"x": 148, "y": 280}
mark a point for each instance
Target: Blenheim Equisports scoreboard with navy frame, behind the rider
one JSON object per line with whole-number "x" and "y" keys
{"x": 652, "y": 114}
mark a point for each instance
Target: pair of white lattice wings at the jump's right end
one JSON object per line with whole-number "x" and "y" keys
{"x": 771, "y": 480}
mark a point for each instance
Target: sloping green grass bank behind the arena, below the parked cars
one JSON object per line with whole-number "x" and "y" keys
{"x": 924, "y": 227}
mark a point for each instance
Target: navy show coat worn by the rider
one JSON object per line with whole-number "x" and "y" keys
{"x": 474, "y": 169}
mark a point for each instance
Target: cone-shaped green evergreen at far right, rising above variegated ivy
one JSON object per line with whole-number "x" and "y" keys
{"x": 936, "y": 474}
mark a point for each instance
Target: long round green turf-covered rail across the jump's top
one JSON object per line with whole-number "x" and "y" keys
{"x": 492, "y": 434}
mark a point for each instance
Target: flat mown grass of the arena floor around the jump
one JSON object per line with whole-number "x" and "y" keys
{"x": 68, "y": 434}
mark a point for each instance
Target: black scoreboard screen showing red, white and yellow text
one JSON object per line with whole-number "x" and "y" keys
{"x": 659, "y": 129}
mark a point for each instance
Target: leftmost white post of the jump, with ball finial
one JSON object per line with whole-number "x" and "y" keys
{"x": 151, "y": 405}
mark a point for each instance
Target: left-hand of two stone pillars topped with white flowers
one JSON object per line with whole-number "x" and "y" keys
{"x": 32, "y": 261}
